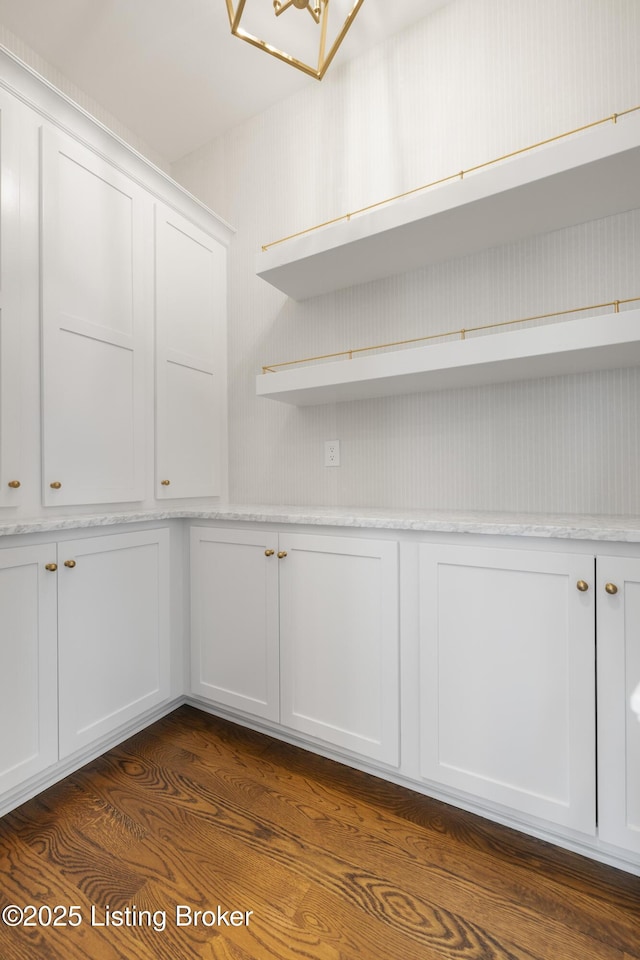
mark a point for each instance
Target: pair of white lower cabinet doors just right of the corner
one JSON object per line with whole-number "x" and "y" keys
{"x": 300, "y": 628}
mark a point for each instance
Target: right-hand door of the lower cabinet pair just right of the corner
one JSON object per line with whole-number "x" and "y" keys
{"x": 339, "y": 642}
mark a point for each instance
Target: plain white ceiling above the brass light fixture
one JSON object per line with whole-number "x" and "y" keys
{"x": 170, "y": 70}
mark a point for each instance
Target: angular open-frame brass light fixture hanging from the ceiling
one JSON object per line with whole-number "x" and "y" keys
{"x": 314, "y": 39}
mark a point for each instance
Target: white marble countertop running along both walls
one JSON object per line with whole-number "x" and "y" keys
{"x": 590, "y": 527}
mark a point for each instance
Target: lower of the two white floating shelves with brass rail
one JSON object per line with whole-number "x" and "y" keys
{"x": 572, "y": 346}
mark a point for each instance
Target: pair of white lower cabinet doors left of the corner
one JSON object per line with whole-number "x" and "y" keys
{"x": 84, "y": 644}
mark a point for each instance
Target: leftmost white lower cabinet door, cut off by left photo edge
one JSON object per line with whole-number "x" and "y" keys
{"x": 28, "y": 667}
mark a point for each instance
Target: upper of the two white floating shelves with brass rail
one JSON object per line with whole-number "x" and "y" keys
{"x": 586, "y": 176}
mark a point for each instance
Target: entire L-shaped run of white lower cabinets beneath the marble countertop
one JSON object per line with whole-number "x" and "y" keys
{"x": 505, "y": 650}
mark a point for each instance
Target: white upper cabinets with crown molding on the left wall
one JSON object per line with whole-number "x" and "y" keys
{"x": 99, "y": 253}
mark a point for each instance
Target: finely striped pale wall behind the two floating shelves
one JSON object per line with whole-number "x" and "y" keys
{"x": 474, "y": 80}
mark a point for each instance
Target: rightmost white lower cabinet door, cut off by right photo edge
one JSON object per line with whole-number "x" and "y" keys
{"x": 618, "y": 642}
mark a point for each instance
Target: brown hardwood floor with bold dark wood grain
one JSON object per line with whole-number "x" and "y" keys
{"x": 286, "y": 855}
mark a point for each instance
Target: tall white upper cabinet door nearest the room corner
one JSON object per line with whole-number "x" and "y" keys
{"x": 190, "y": 306}
